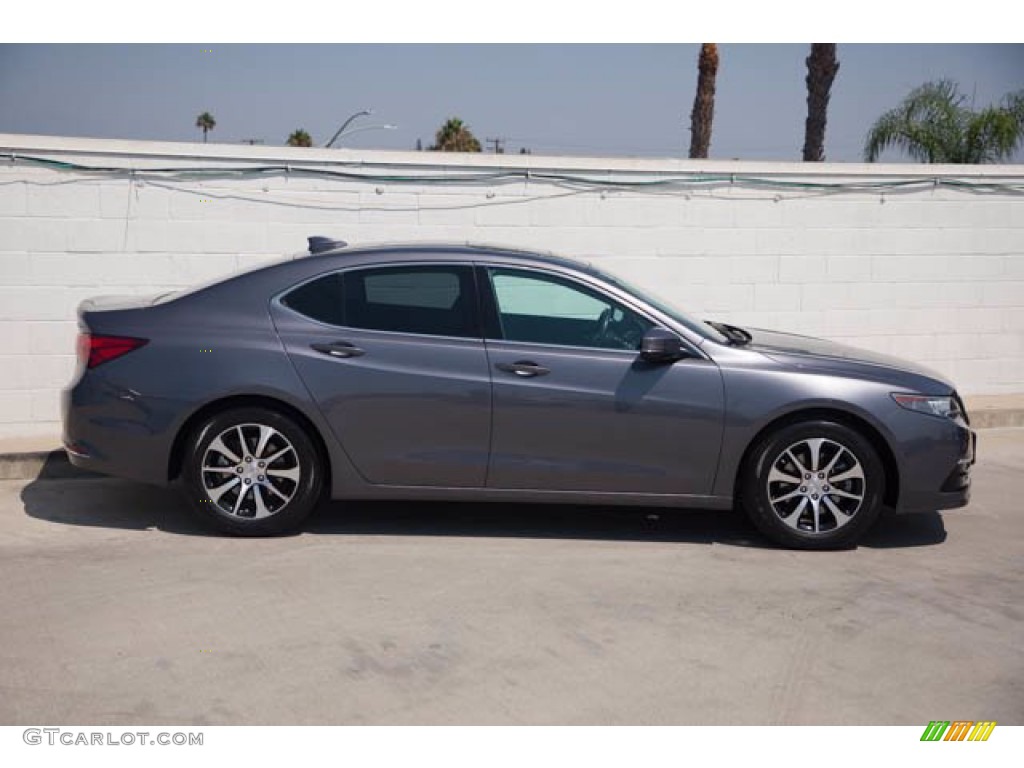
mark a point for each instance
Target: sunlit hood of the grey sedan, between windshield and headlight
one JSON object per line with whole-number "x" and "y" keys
{"x": 810, "y": 353}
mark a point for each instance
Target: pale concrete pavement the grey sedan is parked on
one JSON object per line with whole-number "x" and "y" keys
{"x": 117, "y": 610}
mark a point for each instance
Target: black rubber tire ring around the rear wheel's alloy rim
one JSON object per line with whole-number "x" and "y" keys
{"x": 307, "y": 496}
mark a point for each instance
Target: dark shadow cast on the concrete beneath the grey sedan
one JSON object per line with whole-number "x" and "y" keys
{"x": 60, "y": 497}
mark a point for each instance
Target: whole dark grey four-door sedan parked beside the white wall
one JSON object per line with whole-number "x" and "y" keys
{"x": 460, "y": 372}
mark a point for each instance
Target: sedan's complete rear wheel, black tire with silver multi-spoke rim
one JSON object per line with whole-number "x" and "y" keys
{"x": 268, "y": 496}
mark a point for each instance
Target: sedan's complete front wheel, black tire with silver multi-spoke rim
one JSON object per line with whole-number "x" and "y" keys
{"x": 841, "y": 496}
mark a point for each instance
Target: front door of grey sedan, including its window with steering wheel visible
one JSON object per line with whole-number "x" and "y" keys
{"x": 576, "y": 409}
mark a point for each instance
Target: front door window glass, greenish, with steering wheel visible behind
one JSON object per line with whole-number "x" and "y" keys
{"x": 548, "y": 310}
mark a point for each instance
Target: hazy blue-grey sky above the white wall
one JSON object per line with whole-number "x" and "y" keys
{"x": 605, "y": 100}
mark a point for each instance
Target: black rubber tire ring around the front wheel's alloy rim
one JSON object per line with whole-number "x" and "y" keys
{"x": 754, "y": 493}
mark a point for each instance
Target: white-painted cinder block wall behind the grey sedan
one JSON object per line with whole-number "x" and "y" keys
{"x": 931, "y": 273}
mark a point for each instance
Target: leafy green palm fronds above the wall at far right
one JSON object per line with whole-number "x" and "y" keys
{"x": 932, "y": 125}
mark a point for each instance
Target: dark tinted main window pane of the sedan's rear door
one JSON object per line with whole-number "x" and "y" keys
{"x": 435, "y": 301}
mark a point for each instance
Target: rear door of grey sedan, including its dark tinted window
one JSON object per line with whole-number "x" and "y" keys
{"x": 395, "y": 359}
